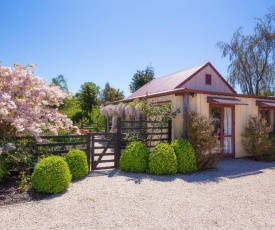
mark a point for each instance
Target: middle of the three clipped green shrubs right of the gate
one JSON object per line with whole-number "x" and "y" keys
{"x": 163, "y": 160}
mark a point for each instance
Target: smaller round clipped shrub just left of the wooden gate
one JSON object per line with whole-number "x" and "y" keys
{"x": 77, "y": 161}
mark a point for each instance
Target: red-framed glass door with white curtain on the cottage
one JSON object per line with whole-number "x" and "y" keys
{"x": 224, "y": 127}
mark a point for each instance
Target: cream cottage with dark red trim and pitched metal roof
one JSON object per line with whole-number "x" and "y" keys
{"x": 202, "y": 89}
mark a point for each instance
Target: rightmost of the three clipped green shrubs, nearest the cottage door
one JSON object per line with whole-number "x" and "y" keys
{"x": 185, "y": 155}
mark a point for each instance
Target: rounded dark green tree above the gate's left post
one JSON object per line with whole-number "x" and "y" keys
{"x": 88, "y": 96}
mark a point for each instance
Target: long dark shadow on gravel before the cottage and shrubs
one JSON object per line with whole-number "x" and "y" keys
{"x": 227, "y": 168}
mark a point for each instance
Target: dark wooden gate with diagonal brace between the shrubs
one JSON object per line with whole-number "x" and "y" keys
{"x": 105, "y": 150}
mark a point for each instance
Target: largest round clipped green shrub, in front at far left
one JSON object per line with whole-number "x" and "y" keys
{"x": 51, "y": 175}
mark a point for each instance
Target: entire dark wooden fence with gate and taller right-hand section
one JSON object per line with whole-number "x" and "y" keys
{"x": 103, "y": 149}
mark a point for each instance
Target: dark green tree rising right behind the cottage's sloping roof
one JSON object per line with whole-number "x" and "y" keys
{"x": 140, "y": 78}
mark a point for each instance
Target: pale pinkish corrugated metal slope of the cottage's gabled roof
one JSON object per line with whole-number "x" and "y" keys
{"x": 166, "y": 83}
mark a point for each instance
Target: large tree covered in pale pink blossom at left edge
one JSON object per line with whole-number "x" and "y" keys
{"x": 28, "y": 105}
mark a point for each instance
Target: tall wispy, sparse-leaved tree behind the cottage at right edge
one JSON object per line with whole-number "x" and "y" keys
{"x": 252, "y": 57}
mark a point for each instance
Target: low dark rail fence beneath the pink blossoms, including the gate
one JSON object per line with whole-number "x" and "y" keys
{"x": 97, "y": 146}
